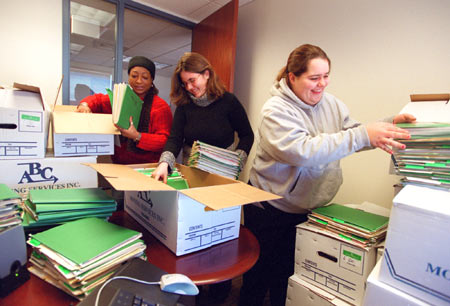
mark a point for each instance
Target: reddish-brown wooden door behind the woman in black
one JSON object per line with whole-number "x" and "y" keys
{"x": 215, "y": 38}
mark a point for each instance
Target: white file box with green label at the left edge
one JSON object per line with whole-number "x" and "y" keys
{"x": 23, "y": 123}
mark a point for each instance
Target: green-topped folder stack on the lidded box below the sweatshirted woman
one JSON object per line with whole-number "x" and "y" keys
{"x": 354, "y": 226}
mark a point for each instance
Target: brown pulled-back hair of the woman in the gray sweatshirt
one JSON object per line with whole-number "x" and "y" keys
{"x": 299, "y": 59}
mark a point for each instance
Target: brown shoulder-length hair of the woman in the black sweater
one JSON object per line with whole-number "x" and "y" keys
{"x": 197, "y": 63}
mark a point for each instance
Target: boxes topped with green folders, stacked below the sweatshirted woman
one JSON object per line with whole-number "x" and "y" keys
{"x": 336, "y": 249}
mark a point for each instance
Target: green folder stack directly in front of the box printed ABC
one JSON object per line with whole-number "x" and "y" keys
{"x": 56, "y": 206}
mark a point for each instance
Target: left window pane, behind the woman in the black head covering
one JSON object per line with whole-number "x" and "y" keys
{"x": 92, "y": 46}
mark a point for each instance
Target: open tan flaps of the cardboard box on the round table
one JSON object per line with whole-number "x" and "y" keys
{"x": 232, "y": 193}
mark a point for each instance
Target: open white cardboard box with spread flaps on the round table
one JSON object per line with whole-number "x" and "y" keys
{"x": 188, "y": 220}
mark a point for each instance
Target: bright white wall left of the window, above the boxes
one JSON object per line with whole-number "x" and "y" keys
{"x": 31, "y": 50}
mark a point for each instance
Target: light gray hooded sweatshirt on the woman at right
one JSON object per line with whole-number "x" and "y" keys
{"x": 300, "y": 147}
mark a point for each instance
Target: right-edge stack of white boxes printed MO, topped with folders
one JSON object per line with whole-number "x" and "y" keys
{"x": 414, "y": 269}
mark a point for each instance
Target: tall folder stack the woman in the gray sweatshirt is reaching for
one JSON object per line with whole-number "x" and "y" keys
{"x": 426, "y": 158}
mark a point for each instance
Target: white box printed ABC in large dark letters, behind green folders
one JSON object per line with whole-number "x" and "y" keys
{"x": 48, "y": 173}
